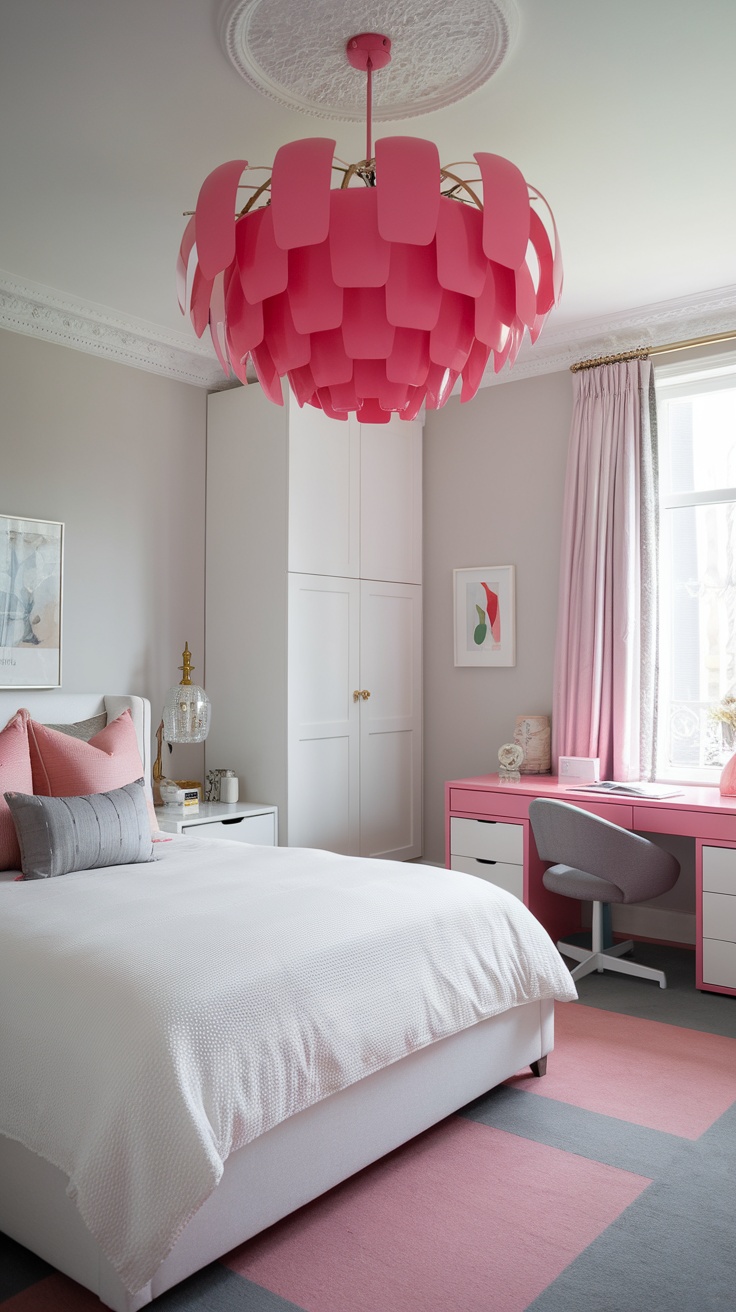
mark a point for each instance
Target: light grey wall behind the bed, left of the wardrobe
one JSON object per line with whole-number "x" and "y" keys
{"x": 119, "y": 456}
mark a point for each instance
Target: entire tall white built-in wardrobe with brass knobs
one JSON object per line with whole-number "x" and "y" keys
{"x": 314, "y": 621}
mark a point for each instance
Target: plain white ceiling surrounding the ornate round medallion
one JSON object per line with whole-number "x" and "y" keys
{"x": 112, "y": 112}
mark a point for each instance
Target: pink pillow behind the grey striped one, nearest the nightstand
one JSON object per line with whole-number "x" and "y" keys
{"x": 66, "y": 767}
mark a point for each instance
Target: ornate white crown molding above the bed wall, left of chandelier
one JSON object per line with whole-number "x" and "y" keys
{"x": 39, "y": 312}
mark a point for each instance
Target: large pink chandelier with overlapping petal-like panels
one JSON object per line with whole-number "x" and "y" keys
{"x": 376, "y": 296}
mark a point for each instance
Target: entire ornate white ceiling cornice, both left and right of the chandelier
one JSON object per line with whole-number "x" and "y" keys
{"x": 39, "y": 312}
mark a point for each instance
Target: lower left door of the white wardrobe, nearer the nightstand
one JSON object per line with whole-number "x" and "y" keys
{"x": 325, "y": 718}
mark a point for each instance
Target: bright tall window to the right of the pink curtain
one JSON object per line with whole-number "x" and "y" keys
{"x": 697, "y": 667}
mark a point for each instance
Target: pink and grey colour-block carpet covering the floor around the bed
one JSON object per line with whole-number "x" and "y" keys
{"x": 609, "y": 1187}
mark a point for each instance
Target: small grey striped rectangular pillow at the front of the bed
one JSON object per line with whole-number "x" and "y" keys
{"x": 61, "y": 835}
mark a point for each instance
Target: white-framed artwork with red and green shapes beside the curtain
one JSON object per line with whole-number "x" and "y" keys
{"x": 485, "y": 616}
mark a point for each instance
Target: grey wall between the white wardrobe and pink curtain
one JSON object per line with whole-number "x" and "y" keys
{"x": 494, "y": 478}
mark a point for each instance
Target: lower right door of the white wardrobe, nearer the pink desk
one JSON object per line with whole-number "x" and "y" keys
{"x": 392, "y": 751}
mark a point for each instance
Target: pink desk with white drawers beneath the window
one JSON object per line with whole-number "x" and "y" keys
{"x": 489, "y": 834}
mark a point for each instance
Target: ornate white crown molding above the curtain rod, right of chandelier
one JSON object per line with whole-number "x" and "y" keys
{"x": 703, "y": 316}
